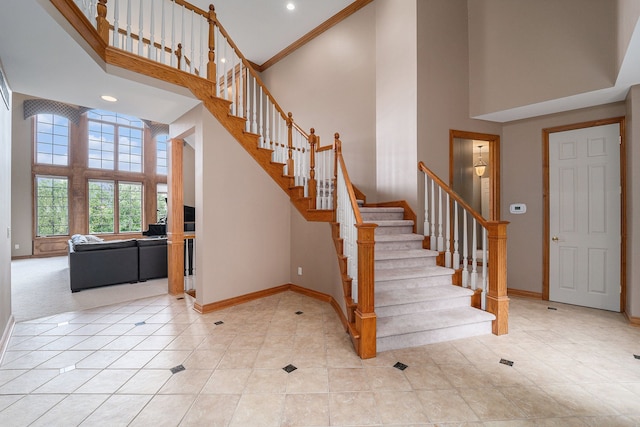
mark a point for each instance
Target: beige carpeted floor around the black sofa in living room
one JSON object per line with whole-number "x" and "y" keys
{"x": 40, "y": 287}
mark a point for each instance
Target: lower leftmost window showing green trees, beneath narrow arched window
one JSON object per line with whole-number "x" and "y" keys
{"x": 52, "y": 206}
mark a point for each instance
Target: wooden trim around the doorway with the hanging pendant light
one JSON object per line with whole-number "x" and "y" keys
{"x": 494, "y": 164}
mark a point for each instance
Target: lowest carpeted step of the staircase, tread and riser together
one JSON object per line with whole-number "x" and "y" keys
{"x": 418, "y": 329}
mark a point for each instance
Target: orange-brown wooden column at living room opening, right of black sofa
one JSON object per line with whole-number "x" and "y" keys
{"x": 175, "y": 219}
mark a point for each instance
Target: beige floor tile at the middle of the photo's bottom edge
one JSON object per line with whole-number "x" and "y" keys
{"x": 306, "y": 410}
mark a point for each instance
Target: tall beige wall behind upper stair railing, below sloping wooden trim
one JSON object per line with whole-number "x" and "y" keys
{"x": 330, "y": 85}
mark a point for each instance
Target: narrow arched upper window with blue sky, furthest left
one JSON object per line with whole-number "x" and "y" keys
{"x": 52, "y": 140}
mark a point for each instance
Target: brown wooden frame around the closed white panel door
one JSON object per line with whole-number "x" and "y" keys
{"x": 623, "y": 202}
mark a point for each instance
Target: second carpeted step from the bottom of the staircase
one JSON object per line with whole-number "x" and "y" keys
{"x": 406, "y": 301}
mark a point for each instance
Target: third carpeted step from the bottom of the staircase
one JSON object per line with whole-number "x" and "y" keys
{"x": 411, "y": 278}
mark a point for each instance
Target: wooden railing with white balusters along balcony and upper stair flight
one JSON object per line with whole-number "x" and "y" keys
{"x": 180, "y": 35}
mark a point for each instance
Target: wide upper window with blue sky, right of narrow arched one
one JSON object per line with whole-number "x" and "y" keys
{"x": 115, "y": 141}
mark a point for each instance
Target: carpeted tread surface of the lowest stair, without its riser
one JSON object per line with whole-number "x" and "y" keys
{"x": 440, "y": 319}
